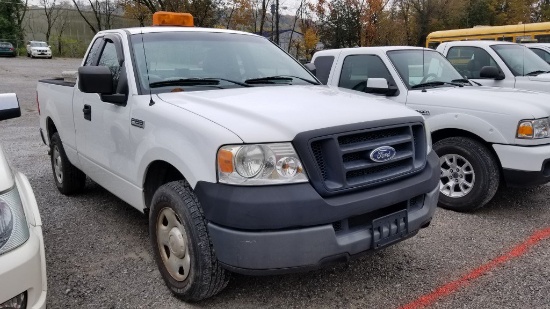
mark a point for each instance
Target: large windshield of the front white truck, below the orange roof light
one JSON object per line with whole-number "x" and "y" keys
{"x": 189, "y": 61}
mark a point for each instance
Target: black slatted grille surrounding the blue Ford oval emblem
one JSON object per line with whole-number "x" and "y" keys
{"x": 344, "y": 160}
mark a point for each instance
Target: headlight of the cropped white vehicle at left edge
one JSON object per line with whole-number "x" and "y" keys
{"x": 13, "y": 225}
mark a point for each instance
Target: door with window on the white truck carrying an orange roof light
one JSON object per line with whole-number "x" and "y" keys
{"x": 102, "y": 128}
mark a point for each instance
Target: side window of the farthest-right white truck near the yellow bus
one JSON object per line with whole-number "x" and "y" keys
{"x": 469, "y": 60}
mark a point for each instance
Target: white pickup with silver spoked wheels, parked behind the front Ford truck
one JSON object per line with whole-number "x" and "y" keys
{"x": 480, "y": 133}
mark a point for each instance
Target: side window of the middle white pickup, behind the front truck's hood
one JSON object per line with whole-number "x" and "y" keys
{"x": 358, "y": 68}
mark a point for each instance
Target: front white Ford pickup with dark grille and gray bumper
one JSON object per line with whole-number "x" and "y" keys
{"x": 242, "y": 160}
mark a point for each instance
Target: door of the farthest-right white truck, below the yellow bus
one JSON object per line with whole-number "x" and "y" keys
{"x": 469, "y": 60}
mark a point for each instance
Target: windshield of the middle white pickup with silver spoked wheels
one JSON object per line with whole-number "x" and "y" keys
{"x": 424, "y": 68}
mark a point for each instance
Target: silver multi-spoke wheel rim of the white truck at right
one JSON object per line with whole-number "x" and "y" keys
{"x": 457, "y": 176}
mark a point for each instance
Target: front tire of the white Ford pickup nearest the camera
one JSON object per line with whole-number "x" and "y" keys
{"x": 205, "y": 276}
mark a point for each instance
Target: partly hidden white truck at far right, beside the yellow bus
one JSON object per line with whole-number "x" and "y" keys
{"x": 498, "y": 64}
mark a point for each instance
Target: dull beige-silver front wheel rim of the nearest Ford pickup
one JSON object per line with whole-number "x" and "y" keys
{"x": 173, "y": 244}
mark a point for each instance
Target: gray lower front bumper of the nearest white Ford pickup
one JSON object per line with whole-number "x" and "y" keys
{"x": 266, "y": 252}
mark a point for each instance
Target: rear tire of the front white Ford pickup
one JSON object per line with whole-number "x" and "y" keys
{"x": 68, "y": 179}
